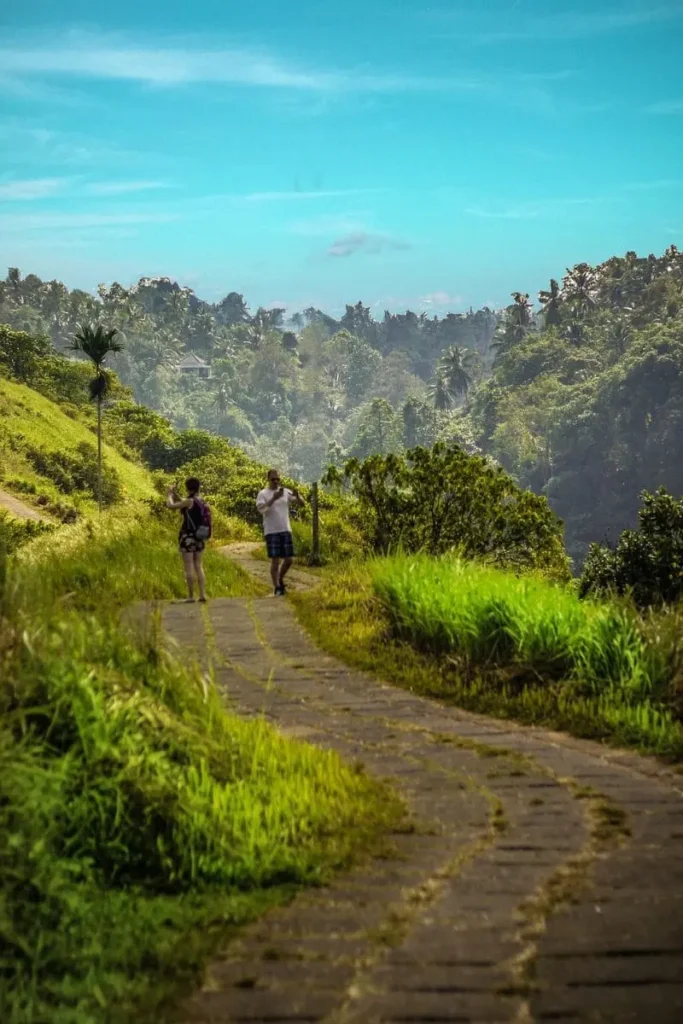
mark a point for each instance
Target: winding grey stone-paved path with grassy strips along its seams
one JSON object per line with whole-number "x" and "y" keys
{"x": 543, "y": 880}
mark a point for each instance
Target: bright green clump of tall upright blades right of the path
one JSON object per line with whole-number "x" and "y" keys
{"x": 485, "y": 617}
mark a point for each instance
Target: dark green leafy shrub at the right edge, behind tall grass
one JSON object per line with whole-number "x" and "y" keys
{"x": 647, "y": 564}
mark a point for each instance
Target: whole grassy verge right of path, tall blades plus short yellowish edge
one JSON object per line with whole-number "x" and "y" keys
{"x": 515, "y": 648}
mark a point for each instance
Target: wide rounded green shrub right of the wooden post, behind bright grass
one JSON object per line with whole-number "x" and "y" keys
{"x": 441, "y": 500}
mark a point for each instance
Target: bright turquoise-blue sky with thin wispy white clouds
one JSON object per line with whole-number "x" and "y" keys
{"x": 407, "y": 154}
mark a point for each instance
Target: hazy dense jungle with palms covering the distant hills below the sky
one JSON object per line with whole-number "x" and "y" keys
{"x": 581, "y": 400}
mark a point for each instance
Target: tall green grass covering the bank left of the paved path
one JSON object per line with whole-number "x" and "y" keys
{"x": 140, "y": 822}
